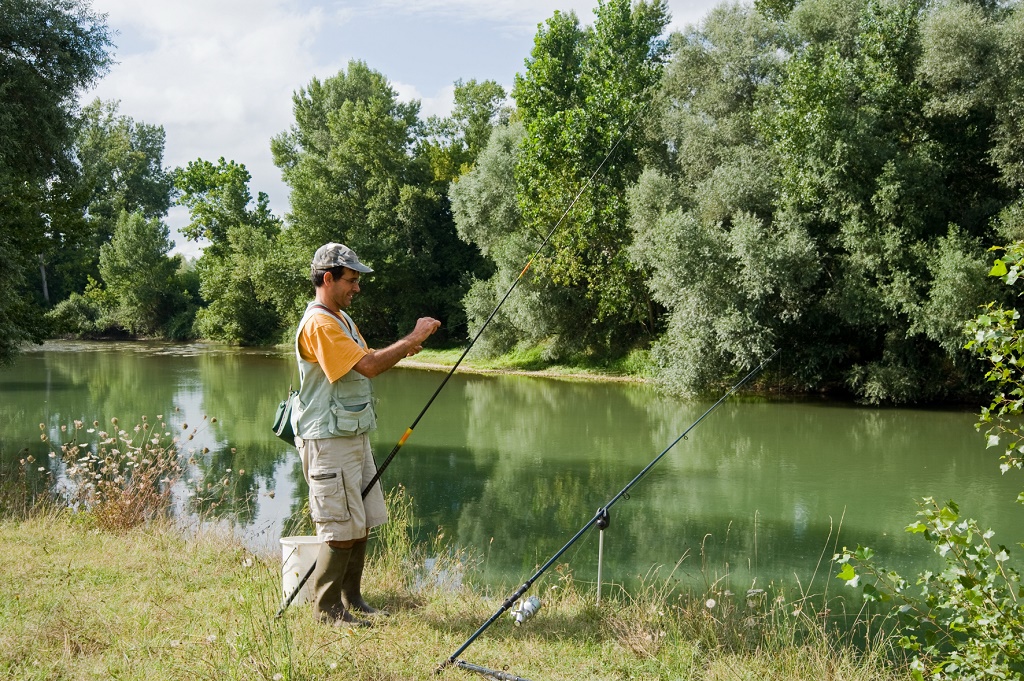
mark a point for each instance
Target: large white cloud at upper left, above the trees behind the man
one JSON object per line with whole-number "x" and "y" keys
{"x": 218, "y": 75}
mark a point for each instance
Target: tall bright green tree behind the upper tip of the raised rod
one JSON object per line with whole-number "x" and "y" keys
{"x": 580, "y": 100}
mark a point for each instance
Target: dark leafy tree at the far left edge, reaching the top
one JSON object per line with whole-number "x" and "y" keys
{"x": 50, "y": 51}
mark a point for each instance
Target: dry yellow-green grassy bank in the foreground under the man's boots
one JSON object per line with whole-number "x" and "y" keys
{"x": 159, "y": 603}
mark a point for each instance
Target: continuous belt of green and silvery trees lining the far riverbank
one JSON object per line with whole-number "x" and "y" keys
{"x": 816, "y": 176}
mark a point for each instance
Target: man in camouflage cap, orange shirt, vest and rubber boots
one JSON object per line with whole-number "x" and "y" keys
{"x": 334, "y": 414}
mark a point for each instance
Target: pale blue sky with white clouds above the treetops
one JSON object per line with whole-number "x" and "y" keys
{"x": 220, "y": 75}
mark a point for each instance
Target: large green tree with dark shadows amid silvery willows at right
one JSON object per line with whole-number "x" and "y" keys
{"x": 889, "y": 191}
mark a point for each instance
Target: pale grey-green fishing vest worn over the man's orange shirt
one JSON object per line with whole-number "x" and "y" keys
{"x": 323, "y": 409}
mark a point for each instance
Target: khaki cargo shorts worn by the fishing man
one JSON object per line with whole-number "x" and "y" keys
{"x": 337, "y": 470}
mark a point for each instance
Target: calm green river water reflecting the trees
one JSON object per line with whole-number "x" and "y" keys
{"x": 510, "y": 469}
